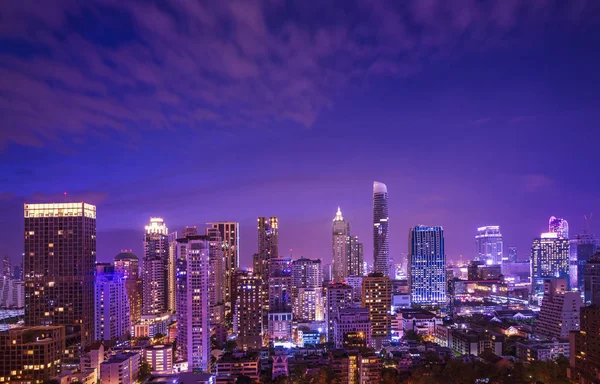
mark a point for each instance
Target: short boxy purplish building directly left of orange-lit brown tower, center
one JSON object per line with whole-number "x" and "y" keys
{"x": 352, "y": 328}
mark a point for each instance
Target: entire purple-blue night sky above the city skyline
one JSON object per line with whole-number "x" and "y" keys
{"x": 472, "y": 112}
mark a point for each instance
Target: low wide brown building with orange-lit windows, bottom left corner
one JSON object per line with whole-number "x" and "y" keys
{"x": 31, "y": 354}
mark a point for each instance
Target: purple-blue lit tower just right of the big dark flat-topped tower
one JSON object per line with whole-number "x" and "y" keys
{"x": 111, "y": 309}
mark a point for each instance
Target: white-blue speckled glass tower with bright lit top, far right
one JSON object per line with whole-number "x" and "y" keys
{"x": 549, "y": 259}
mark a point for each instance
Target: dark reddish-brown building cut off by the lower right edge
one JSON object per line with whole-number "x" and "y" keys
{"x": 584, "y": 352}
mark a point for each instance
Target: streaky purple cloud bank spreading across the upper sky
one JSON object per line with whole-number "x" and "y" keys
{"x": 74, "y": 71}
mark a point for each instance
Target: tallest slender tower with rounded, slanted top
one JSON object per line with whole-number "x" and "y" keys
{"x": 381, "y": 247}
